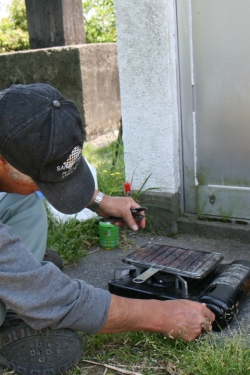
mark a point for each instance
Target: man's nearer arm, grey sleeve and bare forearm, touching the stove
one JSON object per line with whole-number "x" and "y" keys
{"x": 44, "y": 296}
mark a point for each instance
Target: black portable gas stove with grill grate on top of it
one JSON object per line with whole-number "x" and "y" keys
{"x": 156, "y": 271}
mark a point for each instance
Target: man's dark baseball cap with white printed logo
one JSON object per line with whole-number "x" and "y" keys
{"x": 41, "y": 135}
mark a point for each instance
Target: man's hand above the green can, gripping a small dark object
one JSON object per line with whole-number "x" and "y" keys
{"x": 120, "y": 207}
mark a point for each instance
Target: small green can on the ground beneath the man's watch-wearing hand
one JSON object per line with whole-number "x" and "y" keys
{"x": 108, "y": 235}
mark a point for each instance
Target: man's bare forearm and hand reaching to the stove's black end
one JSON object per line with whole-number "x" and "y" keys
{"x": 175, "y": 319}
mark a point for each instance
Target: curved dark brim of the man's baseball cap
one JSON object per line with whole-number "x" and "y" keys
{"x": 72, "y": 195}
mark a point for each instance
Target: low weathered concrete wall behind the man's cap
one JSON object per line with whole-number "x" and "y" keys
{"x": 86, "y": 74}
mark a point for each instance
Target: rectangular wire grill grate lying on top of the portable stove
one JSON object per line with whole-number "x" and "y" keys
{"x": 175, "y": 260}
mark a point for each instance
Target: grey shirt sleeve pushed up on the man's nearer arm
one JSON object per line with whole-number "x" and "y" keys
{"x": 43, "y": 295}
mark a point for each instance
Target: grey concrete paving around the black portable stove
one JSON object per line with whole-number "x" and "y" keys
{"x": 98, "y": 266}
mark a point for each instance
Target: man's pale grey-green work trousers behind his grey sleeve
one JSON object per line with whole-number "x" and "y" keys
{"x": 27, "y": 218}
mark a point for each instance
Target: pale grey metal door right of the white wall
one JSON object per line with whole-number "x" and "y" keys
{"x": 214, "y": 60}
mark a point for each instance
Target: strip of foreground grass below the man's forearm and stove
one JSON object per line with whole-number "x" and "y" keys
{"x": 151, "y": 354}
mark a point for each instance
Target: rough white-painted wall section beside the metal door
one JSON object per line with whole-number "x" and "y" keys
{"x": 147, "y": 54}
